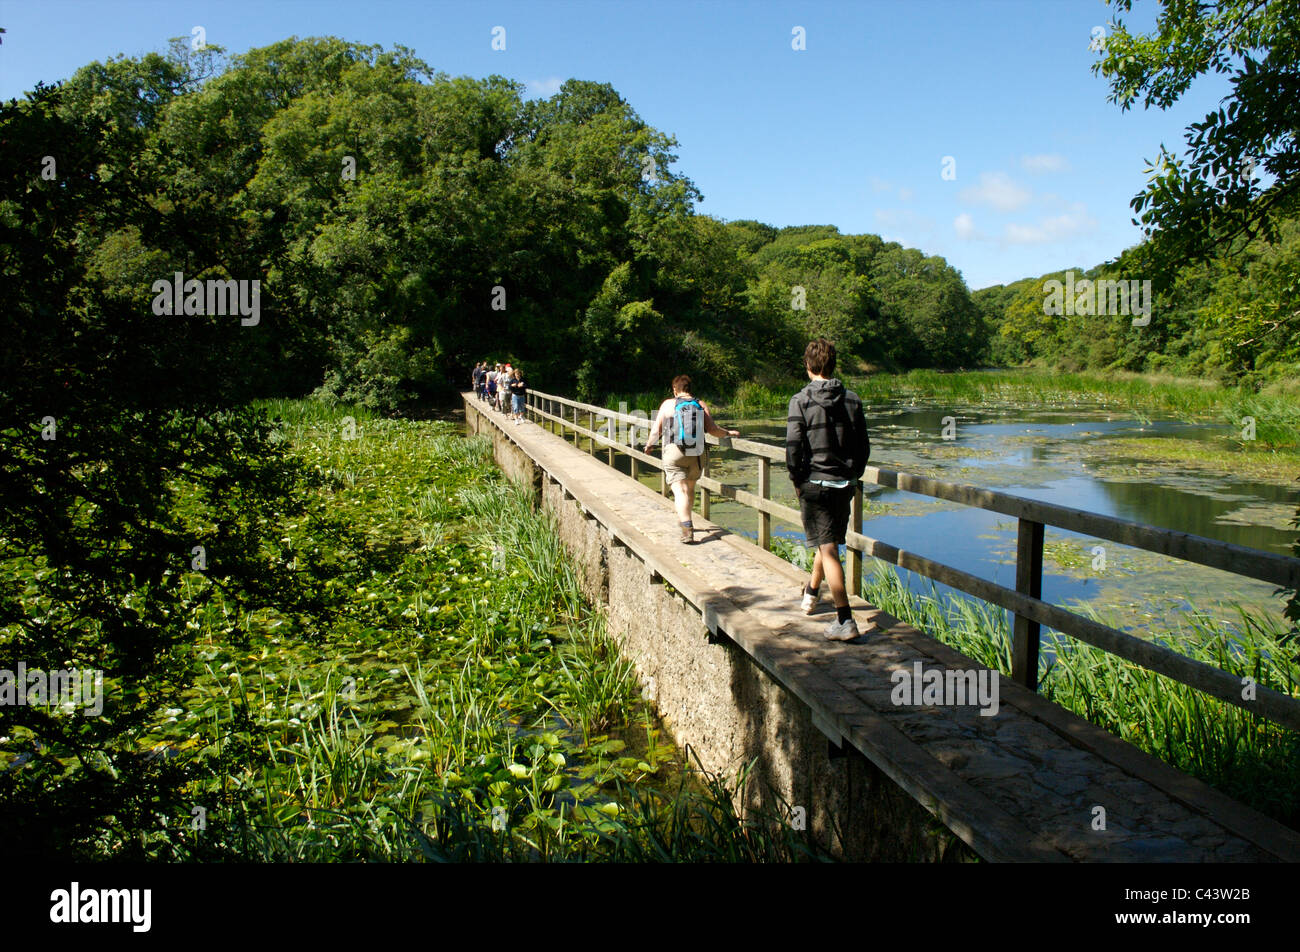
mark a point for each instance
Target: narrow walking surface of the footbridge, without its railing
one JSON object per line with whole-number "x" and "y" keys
{"x": 1019, "y": 786}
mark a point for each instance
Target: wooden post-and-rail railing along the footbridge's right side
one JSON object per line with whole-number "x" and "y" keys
{"x": 1025, "y": 602}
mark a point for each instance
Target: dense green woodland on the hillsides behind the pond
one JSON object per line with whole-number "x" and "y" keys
{"x": 404, "y": 224}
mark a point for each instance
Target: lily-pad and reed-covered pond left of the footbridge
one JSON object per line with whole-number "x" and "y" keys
{"x": 453, "y": 696}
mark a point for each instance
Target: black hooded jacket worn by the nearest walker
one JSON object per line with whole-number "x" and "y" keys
{"x": 826, "y": 434}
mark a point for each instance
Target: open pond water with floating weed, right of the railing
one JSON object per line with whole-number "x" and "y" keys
{"x": 1186, "y": 477}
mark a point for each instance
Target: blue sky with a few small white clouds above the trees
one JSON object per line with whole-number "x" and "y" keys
{"x": 852, "y": 131}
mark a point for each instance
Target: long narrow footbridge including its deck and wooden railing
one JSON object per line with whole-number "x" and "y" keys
{"x": 1026, "y": 784}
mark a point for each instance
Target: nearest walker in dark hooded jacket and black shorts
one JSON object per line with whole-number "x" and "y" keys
{"x": 826, "y": 453}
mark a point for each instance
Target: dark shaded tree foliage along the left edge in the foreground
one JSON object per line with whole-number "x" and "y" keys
{"x": 124, "y": 448}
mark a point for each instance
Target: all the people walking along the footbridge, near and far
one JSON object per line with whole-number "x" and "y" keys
{"x": 826, "y": 453}
